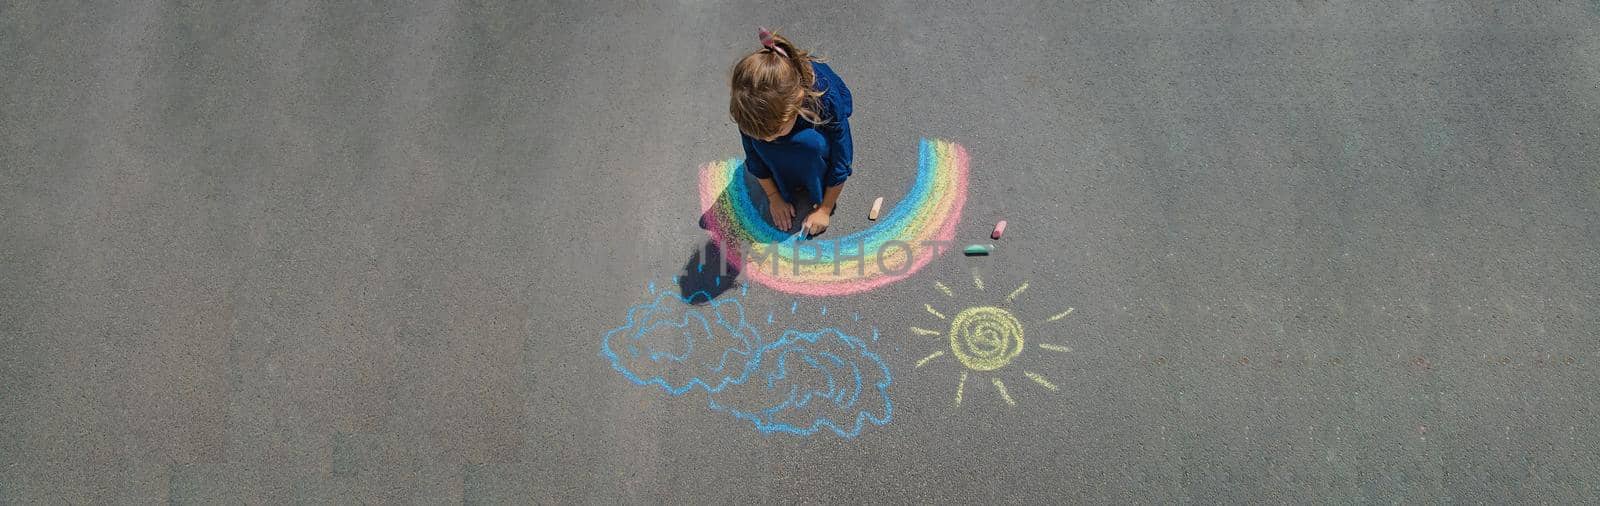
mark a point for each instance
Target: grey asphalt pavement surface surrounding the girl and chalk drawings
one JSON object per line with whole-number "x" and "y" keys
{"x": 366, "y": 252}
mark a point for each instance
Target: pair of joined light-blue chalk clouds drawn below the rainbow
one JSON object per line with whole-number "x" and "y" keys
{"x": 804, "y": 382}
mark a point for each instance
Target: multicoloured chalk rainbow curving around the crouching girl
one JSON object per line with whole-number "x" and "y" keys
{"x": 902, "y": 238}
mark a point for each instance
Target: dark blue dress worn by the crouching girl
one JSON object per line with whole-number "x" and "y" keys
{"x": 810, "y": 158}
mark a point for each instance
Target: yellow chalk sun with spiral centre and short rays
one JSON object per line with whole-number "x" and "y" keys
{"x": 986, "y": 340}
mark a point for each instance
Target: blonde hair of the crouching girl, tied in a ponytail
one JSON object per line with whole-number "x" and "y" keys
{"x": 770, "y": 89}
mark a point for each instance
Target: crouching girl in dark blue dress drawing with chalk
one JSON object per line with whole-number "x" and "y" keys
{"x": 793, "y": 118}
